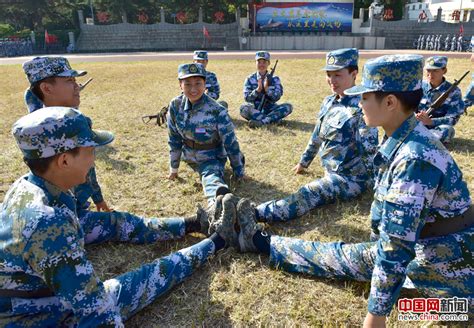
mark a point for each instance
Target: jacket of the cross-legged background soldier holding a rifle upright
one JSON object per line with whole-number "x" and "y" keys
{"x": 274, "y": 93}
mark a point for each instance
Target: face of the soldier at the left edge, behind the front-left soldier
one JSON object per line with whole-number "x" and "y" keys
{"x": 64, "y": 92}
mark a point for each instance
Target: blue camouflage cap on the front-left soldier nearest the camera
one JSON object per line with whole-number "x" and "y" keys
{"x": 54, "y": 130}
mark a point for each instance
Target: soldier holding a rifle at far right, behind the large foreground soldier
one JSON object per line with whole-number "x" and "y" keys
{"x": 442, "y": 120}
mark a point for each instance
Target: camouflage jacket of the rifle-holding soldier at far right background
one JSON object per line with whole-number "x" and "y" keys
{"x": 450, "y": 111}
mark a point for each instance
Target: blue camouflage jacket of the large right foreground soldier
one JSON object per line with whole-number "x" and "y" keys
{"x": 417, "y": 182}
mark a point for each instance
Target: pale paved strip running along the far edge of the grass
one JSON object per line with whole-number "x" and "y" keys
{"x": 216, "y": 55}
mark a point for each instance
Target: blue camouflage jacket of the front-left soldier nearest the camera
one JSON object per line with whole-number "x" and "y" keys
{"x": 42, "y": 246}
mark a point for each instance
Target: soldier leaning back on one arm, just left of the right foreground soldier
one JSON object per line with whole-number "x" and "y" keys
{"x": 345, "y": 145}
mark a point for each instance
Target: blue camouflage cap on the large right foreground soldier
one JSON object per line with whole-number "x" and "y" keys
{"x": 391, "y": 73}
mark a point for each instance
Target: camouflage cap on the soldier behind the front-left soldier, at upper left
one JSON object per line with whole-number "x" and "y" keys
{"x": 41, "y": 68}
